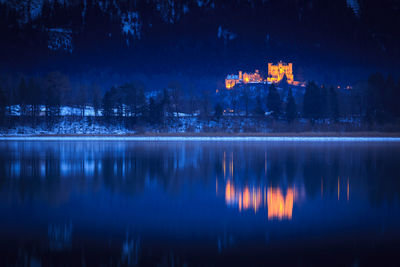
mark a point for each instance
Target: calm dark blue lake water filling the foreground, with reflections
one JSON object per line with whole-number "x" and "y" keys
{"x": 199, "y": 203}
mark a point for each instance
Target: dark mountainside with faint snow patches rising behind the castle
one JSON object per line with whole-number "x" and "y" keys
{"x": 198, "y": 42}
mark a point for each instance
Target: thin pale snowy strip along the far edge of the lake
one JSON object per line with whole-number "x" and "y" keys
{"x": 204, "y": 138}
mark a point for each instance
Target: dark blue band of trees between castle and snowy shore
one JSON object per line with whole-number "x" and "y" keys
{"x": 40, "y": 100}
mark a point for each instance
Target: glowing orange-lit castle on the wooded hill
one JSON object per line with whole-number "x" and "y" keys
{"x": 275, "y": 75}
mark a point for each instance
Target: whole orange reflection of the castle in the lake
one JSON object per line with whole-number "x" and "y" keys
{"x": 279, "y": 206}
